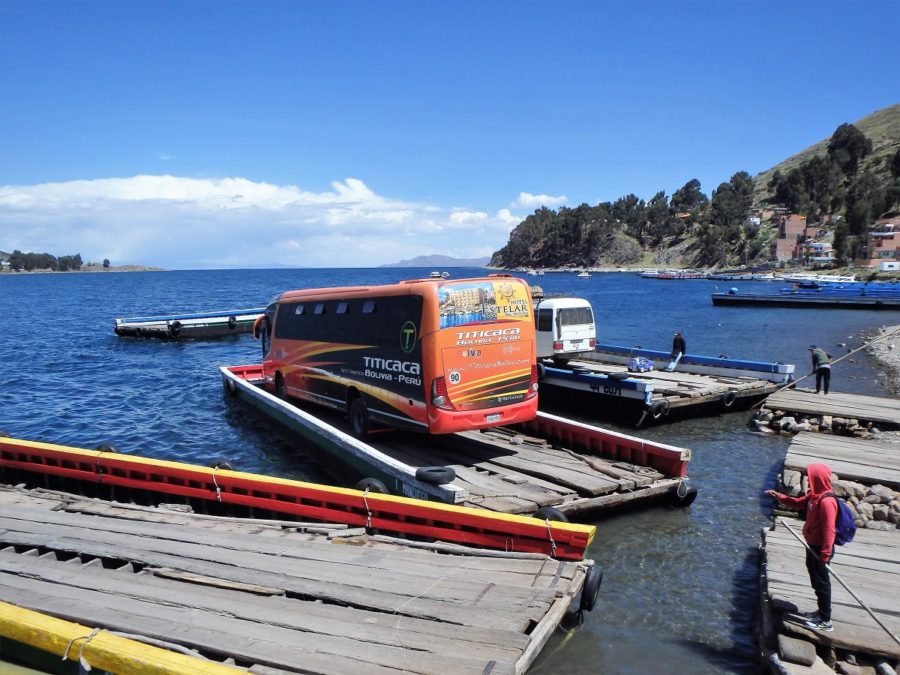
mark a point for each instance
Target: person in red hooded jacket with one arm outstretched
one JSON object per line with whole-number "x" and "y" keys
{"x": 818, "y": 530}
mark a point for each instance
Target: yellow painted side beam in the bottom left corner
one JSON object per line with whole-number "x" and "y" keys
{"x": 101, "y": 649}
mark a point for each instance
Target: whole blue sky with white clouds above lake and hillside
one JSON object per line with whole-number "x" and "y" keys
{"x": 195, "y": 134}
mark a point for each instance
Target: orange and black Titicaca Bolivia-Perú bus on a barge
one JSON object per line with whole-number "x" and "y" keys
{"x": 428, "y": 355}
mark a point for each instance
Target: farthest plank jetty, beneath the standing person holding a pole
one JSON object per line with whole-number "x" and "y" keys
{"x": 884, "y": 412}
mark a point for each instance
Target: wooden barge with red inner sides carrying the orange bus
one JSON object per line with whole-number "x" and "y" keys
{"x": 549, "y": 465}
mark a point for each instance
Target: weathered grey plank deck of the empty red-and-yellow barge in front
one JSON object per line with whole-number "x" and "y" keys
{"x": 282, "y": 597}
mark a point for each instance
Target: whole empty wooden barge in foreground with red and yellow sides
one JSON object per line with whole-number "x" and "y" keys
{"x": 330, "y": 581}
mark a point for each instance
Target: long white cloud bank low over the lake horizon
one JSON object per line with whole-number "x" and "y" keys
{"x": 178, "y": 222}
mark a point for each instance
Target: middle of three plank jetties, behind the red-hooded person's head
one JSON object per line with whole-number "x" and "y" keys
{"x": 864, "y": 461}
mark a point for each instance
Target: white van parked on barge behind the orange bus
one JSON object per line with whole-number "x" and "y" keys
{"x": 565, "y": 328}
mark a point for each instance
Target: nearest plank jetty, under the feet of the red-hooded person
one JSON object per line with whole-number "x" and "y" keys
{"x": 870, "y": 565}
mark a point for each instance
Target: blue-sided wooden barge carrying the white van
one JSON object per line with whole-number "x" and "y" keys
{"x": 701, "y": 385}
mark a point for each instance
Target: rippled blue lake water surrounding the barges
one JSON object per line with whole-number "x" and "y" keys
{"x": 680, "y": 584}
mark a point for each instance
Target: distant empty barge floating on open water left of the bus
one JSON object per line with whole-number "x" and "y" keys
{"x": 199, "y": 325}
